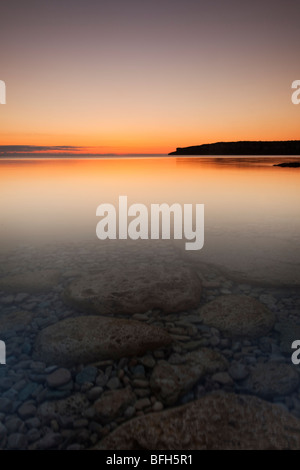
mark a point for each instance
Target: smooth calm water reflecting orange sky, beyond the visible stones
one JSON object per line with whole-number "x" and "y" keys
{"x": 252, "y": 210}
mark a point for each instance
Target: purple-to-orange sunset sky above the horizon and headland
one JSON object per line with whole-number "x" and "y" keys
{"x": 143, "y": 77}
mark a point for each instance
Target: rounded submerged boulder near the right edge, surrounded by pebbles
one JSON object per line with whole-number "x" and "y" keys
{"x": 238, "y": 316}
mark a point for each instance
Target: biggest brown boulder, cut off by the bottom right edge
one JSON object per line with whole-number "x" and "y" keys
{"x": 216, "y": 421}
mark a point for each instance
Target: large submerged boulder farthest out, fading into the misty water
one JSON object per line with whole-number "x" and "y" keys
{"x": 137, "y": 289}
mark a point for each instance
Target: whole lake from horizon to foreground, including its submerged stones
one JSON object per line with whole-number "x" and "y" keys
{"x": 100, "y": 332}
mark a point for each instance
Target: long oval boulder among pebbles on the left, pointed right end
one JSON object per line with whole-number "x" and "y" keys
{"x": 89, "y": 339}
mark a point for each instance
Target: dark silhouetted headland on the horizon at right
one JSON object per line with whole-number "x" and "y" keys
{"x": 261, "y": 148}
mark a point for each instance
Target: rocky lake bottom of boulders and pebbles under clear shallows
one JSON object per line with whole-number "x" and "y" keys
{"x": 135, "y": 346}
